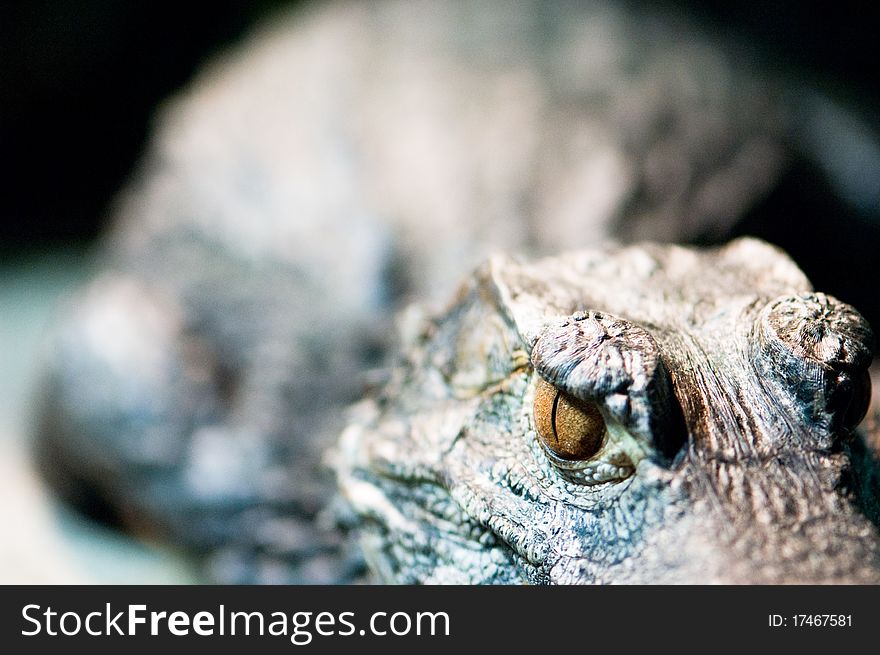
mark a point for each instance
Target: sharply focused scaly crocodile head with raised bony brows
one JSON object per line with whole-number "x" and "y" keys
{"x": 639, "y": 414}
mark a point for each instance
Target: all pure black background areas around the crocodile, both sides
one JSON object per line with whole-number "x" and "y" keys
{"x": 79, "y": 81}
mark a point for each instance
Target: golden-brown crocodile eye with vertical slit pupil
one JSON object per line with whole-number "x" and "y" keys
{"x": 568, "y": 427}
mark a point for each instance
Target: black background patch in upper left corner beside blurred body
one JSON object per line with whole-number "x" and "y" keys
{"x": 79, "y": 81}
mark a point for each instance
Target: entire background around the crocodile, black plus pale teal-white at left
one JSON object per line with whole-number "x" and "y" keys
{"x": 79, "y": 81}
